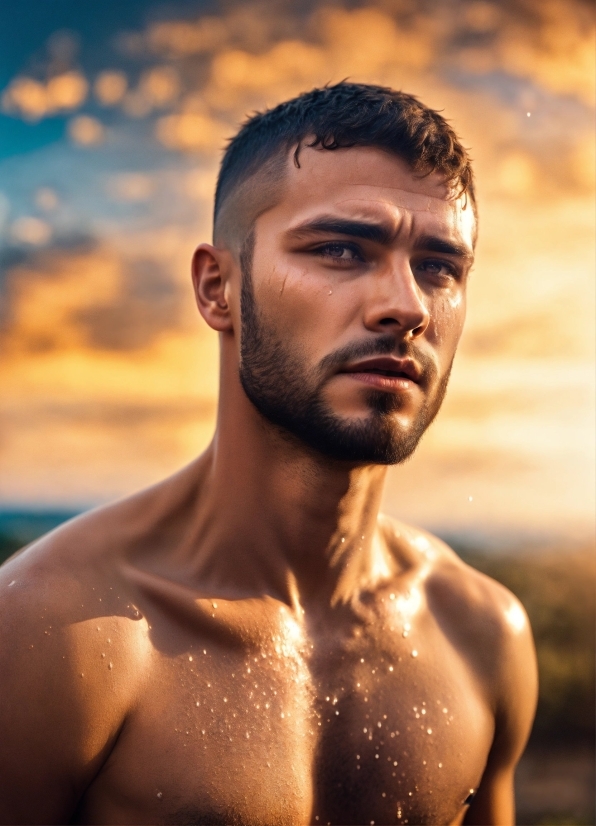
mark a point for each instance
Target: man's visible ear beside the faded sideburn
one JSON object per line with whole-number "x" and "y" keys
{"x": 211, "y": 268}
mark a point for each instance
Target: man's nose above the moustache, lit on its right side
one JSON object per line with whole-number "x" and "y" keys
{"x": 397, "y": 303}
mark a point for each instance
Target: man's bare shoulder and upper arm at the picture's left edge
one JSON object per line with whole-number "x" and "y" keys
{"x": 71, "y": 661}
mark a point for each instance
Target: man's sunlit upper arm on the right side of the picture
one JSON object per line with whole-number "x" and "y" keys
{"x": 514, "y": 713}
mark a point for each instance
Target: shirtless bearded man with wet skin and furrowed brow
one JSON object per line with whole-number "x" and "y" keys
{"x": 249, "y": 641}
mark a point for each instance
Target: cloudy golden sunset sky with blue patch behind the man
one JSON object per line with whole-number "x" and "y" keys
{"x": 112, "y": 121}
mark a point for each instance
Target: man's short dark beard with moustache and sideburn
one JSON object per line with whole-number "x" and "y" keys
{"x": 290, "y": 396}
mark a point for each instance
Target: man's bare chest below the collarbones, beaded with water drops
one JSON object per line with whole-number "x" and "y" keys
{"x": 349, "y": 735}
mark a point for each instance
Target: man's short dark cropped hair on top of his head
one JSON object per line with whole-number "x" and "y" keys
{"x": 342, "y": 116}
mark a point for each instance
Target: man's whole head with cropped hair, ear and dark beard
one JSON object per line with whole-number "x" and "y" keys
{"x": 344, "y": 232}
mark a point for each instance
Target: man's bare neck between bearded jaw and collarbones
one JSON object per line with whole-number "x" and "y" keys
{"x": 277, "y": 518}
